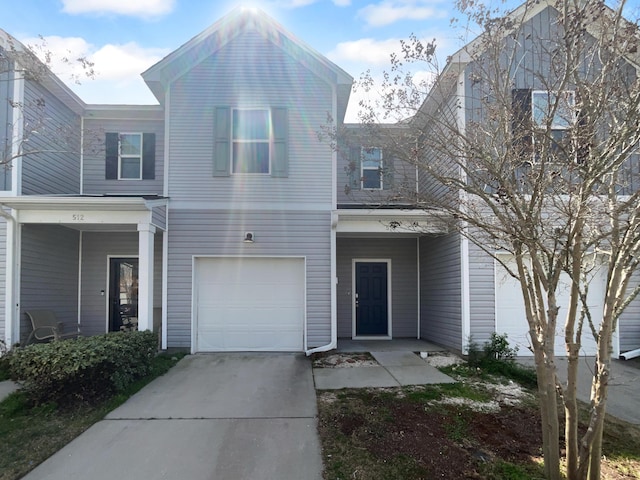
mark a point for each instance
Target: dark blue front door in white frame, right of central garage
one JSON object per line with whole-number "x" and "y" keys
{"x": 371, "y": 299}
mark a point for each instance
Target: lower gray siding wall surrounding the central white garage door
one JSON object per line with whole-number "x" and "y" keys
{"x": 277, "y": 233}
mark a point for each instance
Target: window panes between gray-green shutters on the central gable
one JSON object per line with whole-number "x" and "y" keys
{"x": 251, "y": 134}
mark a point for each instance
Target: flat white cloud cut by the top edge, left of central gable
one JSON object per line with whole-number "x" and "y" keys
{"x": 134, "y": 8}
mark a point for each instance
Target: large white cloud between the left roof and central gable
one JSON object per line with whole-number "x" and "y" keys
{"x": 117, "y": 67}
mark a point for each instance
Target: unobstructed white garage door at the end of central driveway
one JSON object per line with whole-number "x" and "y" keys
{"x": 249, "y": 304}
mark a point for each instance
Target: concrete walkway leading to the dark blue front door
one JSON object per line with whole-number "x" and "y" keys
{"x": 397, "y": 368}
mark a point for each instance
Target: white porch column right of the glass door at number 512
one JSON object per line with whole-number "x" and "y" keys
{"x": 145, "y": 276}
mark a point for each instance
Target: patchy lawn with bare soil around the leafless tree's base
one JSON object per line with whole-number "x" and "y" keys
{"x": 479, "y": 428}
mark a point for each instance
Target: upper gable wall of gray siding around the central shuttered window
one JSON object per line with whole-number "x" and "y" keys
{"x": 249, "y": 71}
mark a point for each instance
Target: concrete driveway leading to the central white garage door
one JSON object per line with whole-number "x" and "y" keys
{"x": 216, "y": 416}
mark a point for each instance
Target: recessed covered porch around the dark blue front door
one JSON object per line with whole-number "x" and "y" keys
{"x": 399, "y": 277}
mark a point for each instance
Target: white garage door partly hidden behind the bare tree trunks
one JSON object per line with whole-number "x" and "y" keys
{"x": 511, "y": 319}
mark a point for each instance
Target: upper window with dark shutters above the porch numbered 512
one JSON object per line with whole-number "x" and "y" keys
{"x": 130, "y": 156}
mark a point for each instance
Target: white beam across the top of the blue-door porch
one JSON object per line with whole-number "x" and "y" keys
{"x": 389, "y": 222}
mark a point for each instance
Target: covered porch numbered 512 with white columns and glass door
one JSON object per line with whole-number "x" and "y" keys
{"x": 95, "y": 261}
